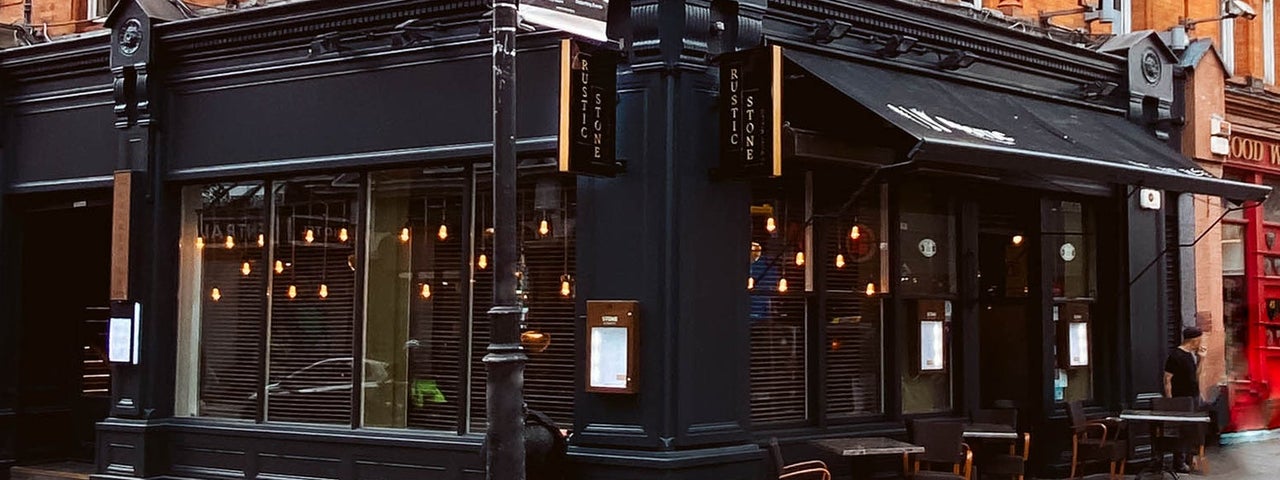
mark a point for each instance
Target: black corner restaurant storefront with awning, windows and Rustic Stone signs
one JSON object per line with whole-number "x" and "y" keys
{"x": 917, "y": 217}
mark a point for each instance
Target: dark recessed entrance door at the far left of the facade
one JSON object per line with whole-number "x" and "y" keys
{"x": 63, "y": 378}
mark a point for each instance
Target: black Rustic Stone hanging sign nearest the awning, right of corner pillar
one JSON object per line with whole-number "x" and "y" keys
{"x": 752, "y": 113}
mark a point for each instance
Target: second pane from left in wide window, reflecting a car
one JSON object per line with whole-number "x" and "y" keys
{"x": 313, "y": 301}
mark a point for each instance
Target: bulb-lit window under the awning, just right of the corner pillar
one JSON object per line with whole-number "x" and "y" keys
{"x": 816, "y": 280}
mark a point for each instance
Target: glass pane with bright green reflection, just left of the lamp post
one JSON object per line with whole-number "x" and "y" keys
{"x": 414, "y": 326}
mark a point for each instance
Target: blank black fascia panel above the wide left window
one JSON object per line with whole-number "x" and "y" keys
{"x": 350, "y": 107}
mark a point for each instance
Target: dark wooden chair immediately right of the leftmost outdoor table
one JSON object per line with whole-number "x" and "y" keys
{"x": 944, "y": 445}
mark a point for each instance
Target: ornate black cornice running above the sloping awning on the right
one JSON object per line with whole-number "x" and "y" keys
{"x": 990, "y": 42}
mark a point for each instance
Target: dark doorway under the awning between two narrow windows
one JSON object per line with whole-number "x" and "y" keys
{"x": 1007, "y": 317}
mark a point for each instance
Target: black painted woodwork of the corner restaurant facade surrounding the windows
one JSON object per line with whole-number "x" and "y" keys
{"x": 252, "y": 94}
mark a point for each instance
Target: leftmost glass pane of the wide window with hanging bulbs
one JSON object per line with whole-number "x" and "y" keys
{"x": 225, "y": 294}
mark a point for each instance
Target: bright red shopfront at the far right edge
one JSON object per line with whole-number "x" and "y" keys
{"x": 1251, "y": 287}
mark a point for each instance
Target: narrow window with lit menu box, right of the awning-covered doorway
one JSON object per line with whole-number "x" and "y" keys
{"x": 1071, "y": 235}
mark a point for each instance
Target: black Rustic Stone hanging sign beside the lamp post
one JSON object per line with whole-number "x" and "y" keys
{"x": 588, "y": 104}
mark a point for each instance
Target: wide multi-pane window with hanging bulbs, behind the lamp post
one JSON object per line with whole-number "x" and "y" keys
{"x": 378, "y": 298}
